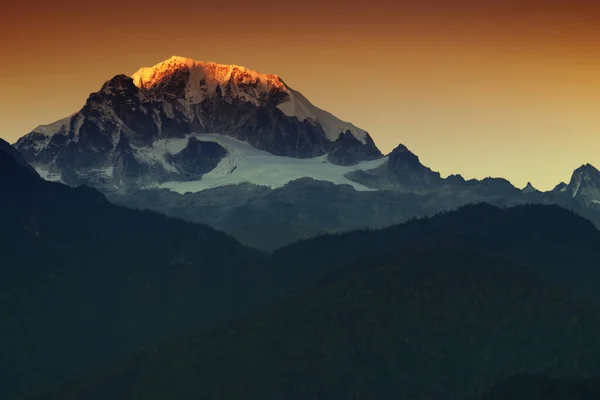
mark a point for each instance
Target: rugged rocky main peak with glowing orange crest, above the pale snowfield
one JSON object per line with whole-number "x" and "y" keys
{"x": 118, "y": 138}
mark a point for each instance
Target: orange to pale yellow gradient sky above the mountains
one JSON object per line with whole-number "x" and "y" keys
{"x": 476, "y": 87}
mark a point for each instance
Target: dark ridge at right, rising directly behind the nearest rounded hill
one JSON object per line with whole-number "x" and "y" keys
{"x": 554, "y": 243}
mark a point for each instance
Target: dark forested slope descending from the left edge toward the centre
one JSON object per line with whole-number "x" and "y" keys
{"x": 83, "y": 283}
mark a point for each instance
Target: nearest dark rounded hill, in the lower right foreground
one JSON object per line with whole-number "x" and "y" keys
{"x": 434, "y": 325}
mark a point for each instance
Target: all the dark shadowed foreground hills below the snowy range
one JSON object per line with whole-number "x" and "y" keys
{"x": 100, "y": 301}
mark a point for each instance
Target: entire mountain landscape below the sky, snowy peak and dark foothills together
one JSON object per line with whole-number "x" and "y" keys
{"x": 203, "y": 231}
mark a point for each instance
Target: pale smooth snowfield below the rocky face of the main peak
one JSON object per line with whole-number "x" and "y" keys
{"x": 246, "y": 164}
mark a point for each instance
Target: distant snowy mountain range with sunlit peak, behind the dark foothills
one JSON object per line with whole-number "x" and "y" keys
{"x": 210, "y": 142}
